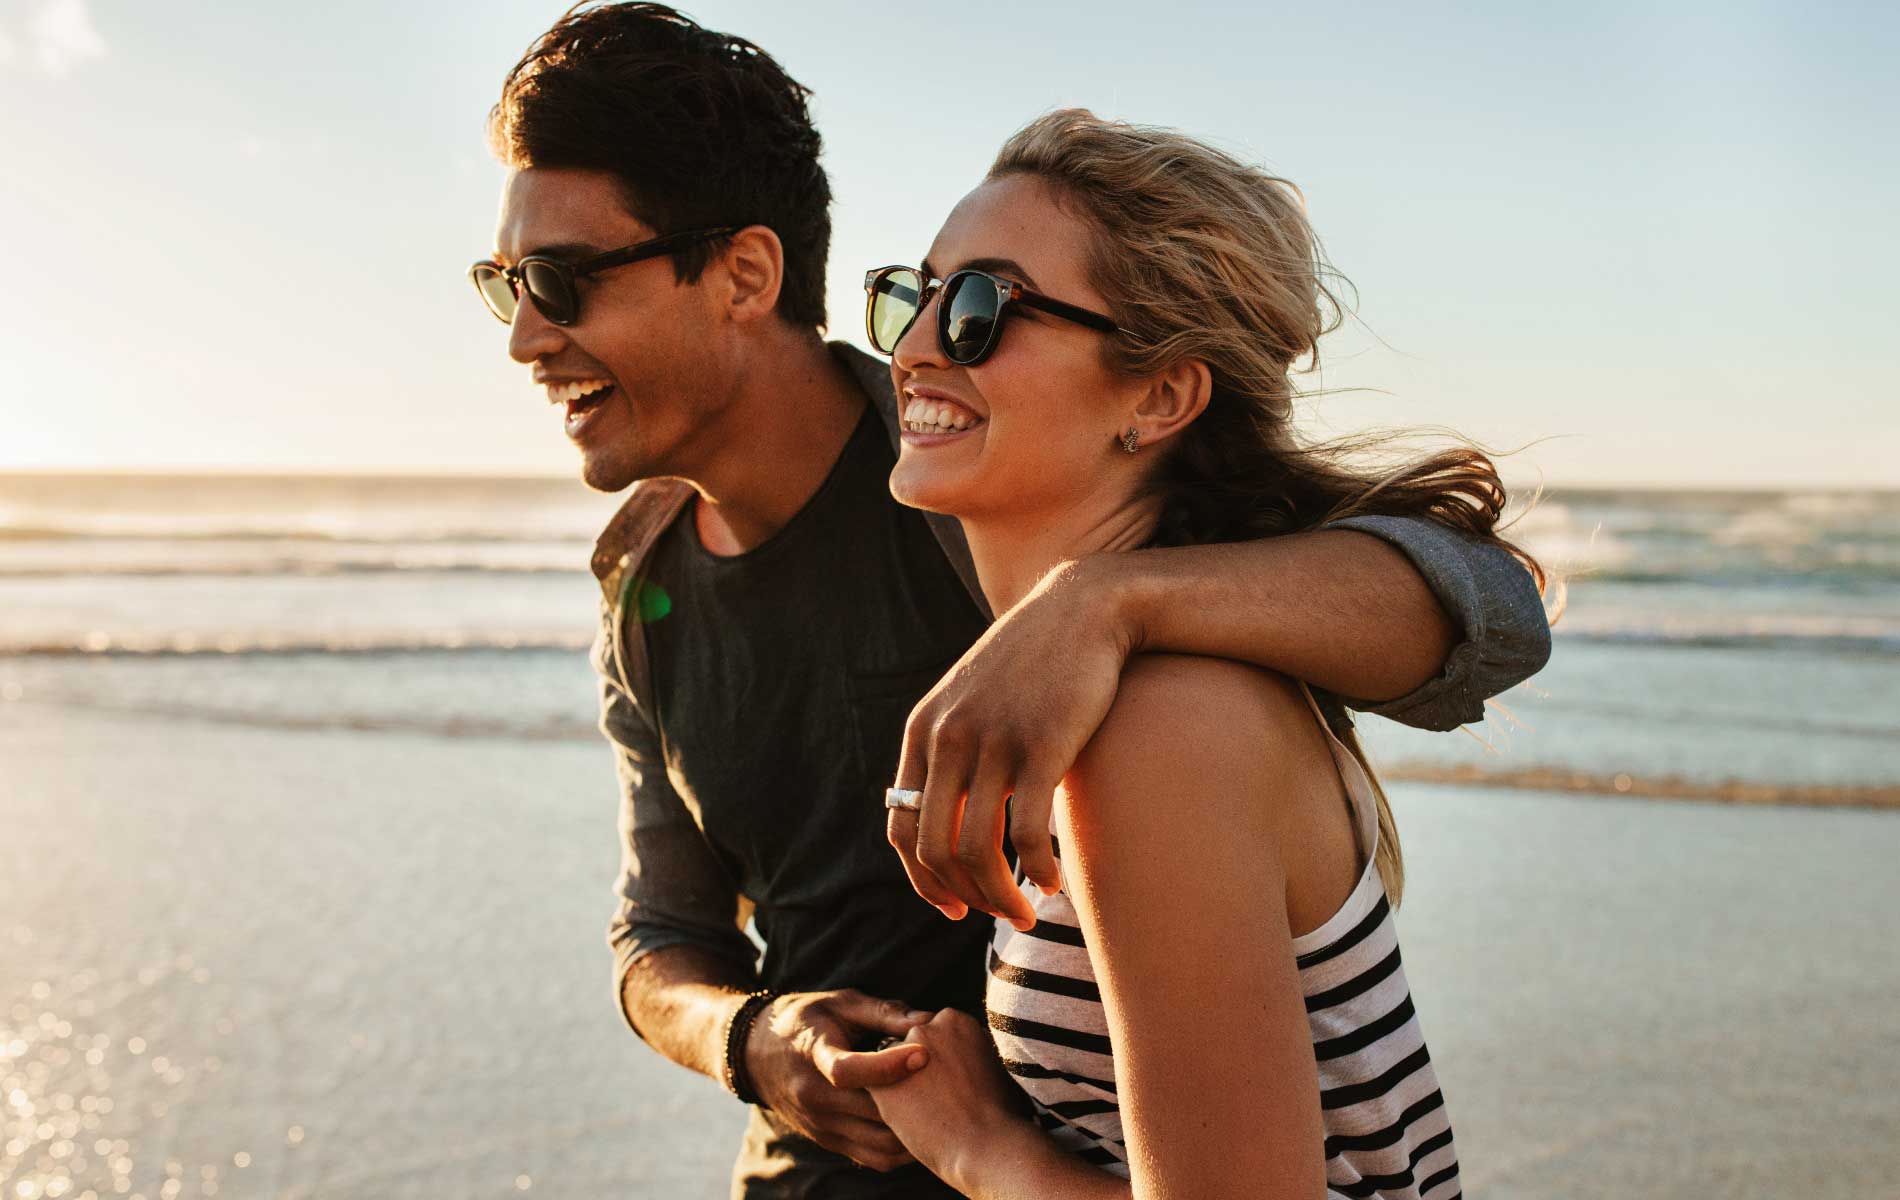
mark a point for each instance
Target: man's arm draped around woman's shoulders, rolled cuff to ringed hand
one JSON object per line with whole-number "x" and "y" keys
{"x": 1378, "y": 609}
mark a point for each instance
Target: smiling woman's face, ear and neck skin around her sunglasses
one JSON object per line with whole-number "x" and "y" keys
{"x": 1042, "y": 478}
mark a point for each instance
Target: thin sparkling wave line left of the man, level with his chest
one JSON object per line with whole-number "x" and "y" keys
{"x": 180, "y": 645}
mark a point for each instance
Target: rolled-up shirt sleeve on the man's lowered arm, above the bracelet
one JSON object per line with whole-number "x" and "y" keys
{"x": 674, "y": 890}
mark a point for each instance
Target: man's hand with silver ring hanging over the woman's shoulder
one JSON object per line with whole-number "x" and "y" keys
{"x": 1010, "y": 719}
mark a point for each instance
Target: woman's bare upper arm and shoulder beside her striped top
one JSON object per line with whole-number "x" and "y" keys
{"x": 1175, "y": 829}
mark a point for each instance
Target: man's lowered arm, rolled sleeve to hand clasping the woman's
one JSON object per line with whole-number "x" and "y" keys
{"x": 683, "y": 967}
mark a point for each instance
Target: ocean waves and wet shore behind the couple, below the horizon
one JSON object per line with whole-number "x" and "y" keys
{"x": 307, "y": 842}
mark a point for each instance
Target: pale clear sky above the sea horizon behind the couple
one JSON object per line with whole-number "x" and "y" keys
{"x": 1646, "y": 244}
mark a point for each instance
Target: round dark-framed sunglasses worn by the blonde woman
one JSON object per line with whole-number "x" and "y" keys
{"x": 970, "y": 314}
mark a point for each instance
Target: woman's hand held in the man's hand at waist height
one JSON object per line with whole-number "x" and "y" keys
{"x": 960, "y": 1106}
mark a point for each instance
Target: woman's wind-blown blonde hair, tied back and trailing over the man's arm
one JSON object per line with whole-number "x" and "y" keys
{"x": 1206, "y": 257}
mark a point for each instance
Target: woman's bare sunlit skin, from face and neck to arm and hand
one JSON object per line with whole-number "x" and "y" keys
{"x": 1204, "y": 825}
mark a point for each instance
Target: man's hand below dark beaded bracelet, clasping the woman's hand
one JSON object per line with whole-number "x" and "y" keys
{"x": 805, "y": 1068}
